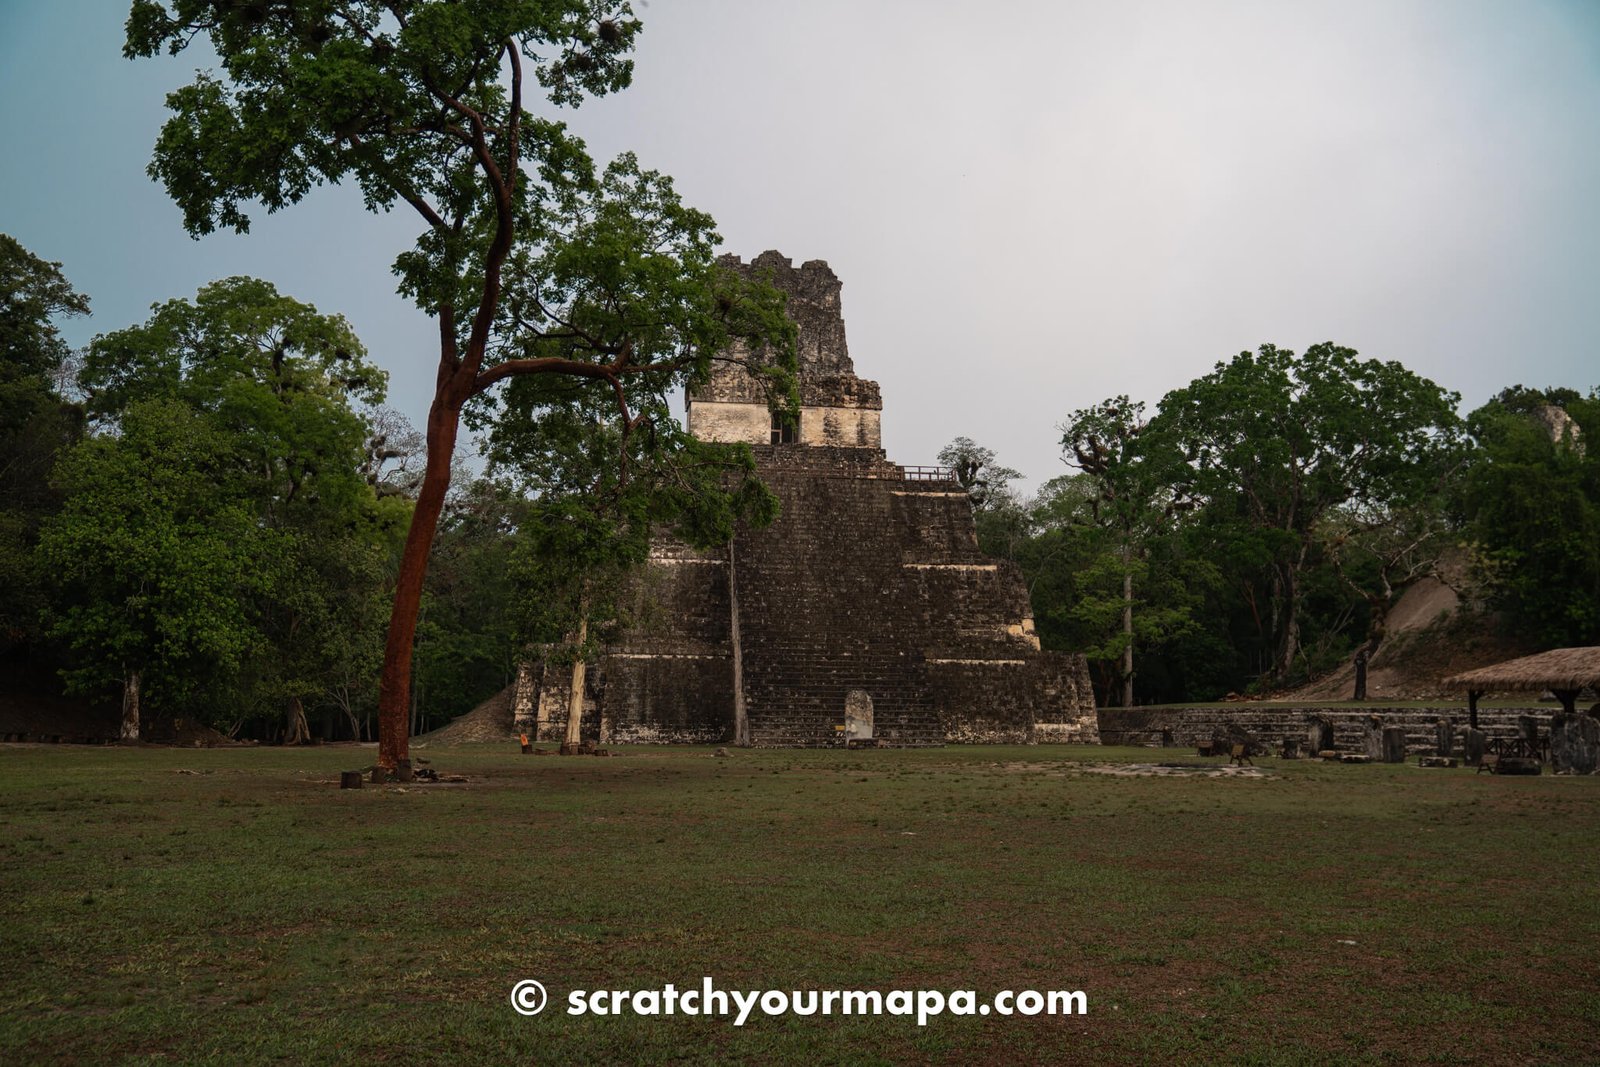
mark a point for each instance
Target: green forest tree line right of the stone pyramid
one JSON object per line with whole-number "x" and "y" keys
{"x": 1255, "y": 530}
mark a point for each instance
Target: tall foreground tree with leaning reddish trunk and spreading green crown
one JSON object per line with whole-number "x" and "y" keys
{"x": 529, "y": 260}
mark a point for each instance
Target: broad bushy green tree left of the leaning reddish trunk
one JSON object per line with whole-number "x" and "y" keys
{"x": 225, "y": 530}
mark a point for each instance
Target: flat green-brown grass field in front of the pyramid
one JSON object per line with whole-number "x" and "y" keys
{"x": 236, "y": 906}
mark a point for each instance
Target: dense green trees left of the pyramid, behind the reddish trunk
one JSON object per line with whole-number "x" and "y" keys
{"x": 204, "y": 514}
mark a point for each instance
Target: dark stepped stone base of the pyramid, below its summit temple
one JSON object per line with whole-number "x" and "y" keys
{"x": 866, "y": 588}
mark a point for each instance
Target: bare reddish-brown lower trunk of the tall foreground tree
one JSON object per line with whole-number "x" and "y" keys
{"x": 394, "y": 689}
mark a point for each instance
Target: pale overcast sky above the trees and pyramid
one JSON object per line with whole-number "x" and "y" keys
{"x": 1033, "y": 206}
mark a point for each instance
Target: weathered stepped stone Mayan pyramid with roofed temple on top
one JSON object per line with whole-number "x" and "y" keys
{"x": 865, "y": 615}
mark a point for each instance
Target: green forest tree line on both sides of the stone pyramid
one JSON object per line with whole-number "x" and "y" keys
{"x": 204, "y": 513}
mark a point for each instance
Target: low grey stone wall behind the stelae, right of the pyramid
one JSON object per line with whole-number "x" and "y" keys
{"x": 1353, "y": 727}
